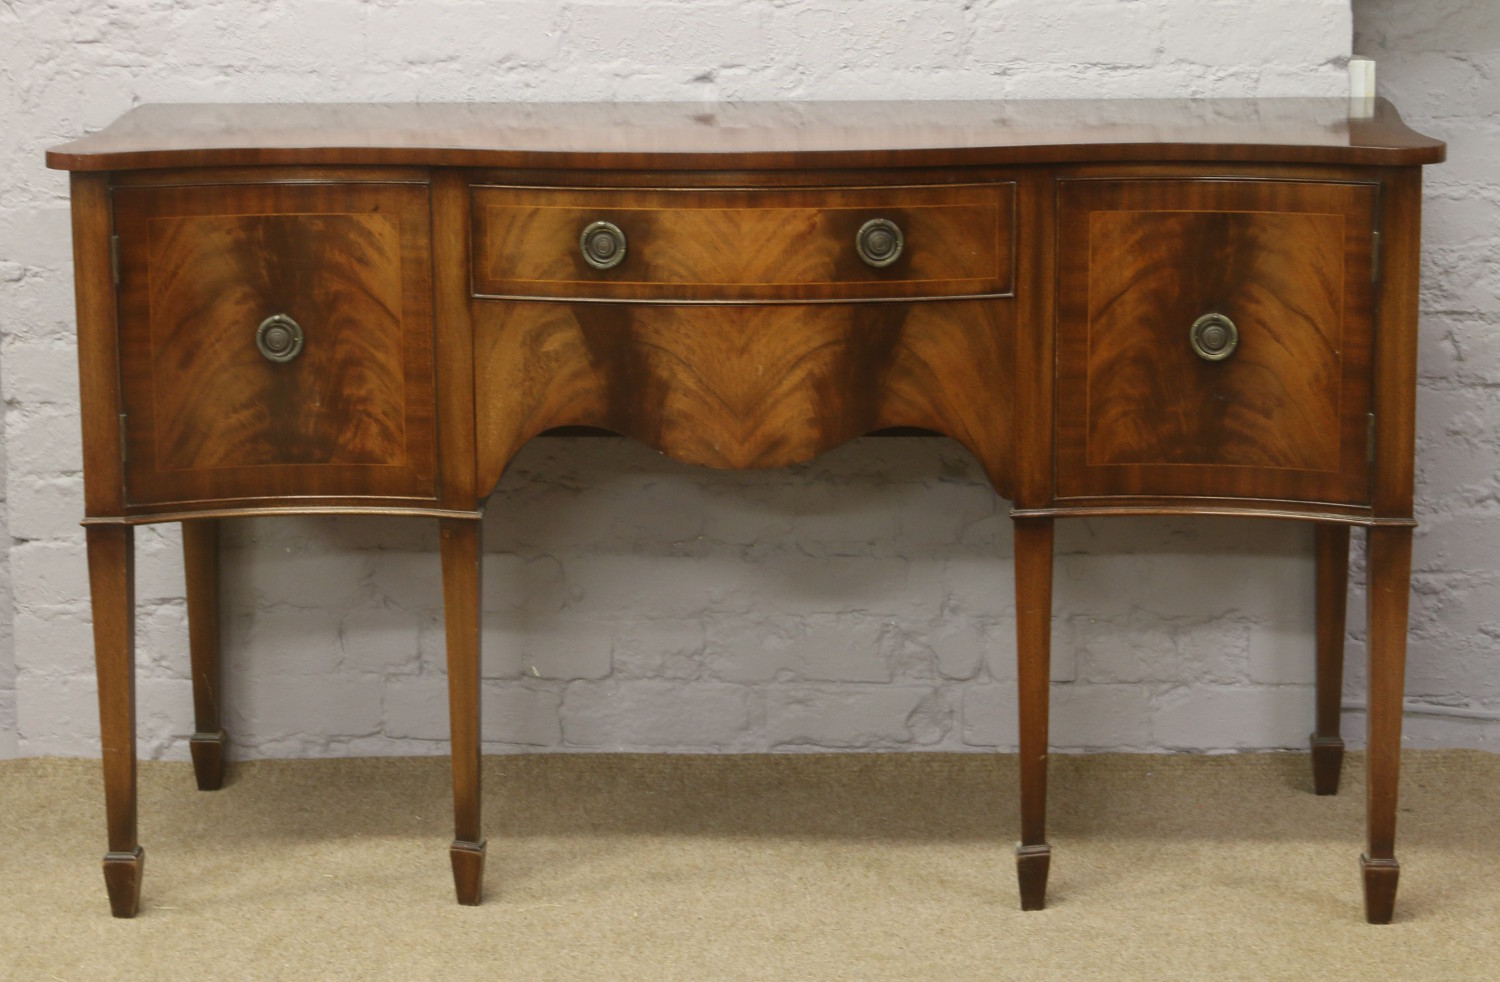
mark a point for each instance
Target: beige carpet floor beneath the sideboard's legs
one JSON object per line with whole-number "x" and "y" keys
{"x": 770, "y": 869}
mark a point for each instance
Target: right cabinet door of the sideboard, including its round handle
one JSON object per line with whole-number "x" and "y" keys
{"x": 1214, "y": 340}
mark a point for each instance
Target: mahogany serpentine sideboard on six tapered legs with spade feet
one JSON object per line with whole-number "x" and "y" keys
{"x": 1118, "y": 308}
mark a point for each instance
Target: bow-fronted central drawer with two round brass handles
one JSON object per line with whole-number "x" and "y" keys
{"x": 736, "y": 245}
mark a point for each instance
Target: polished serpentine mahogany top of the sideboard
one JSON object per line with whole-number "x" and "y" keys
{"x": 763, "y": 136}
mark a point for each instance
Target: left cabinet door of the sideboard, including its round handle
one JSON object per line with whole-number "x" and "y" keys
{"x": 277, "y": 343}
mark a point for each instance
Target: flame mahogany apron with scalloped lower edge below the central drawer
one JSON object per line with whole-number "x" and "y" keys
{"x": 745, "y": 386}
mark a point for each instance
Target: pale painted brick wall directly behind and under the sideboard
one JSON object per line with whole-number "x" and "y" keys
{"x": 859, "y": 602}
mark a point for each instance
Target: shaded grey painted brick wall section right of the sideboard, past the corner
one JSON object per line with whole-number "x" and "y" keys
{"x": 1441, "y": 64}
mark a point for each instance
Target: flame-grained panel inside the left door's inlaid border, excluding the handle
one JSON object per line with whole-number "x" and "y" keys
{"x": 218, "y": 403}
